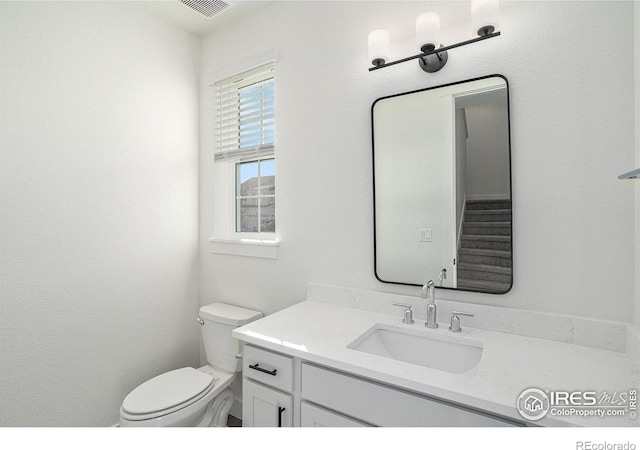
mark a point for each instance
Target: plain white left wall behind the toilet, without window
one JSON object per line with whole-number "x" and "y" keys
{"x": 98, "y": 200}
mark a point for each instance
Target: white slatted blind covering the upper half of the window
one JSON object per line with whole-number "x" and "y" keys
{"x": 245, "y": 114}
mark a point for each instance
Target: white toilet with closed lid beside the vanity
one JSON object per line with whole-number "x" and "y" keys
{"x": 189, "y": 397}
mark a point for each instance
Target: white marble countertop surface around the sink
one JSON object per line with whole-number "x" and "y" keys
{"x": 319, "y": 332}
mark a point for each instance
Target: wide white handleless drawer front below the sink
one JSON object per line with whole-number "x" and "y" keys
{"x": 386, "y": 406}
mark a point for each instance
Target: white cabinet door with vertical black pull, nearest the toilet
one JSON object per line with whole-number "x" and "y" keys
{"x": 265, "y": 407}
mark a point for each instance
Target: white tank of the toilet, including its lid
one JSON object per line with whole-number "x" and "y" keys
{"x": 218, "y": 319}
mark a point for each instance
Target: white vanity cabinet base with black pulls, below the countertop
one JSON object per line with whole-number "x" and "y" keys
{"x": 279, "y": 390}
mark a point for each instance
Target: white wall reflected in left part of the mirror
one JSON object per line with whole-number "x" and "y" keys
{"x": 411, "y": 139}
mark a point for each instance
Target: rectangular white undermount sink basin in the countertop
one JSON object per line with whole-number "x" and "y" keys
{"x": 421, "y": 347}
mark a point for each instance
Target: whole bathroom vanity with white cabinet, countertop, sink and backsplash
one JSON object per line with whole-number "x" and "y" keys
{"x": 322, "y": 363}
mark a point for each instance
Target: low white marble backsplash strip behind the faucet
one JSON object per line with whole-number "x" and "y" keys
{"x": 602, "y": 334}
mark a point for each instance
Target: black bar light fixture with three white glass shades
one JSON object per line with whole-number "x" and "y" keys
{"x": 433, "y": 55}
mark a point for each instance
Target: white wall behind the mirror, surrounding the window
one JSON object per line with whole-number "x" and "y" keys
{"x": 572, "y": 134}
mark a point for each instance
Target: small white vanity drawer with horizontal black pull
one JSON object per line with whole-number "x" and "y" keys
{"x": 272, "y": 369}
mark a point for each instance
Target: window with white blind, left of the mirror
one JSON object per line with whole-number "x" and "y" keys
{"x": 245, "y": 144}
